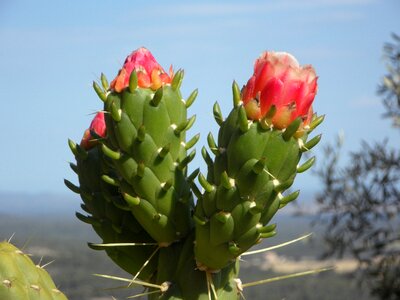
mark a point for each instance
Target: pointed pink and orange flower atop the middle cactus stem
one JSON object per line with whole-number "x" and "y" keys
{"x": 150, "y": 74}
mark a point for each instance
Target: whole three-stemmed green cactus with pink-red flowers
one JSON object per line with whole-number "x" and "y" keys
{"x": 182, "y": 239}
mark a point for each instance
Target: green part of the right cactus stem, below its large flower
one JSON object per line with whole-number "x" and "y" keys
{"x": 253, "y": 166}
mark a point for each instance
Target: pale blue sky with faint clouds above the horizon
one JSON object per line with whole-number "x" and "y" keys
{"x": 51, "y": 51}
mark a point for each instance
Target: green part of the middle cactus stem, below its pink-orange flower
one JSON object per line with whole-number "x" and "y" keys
{"x": 146, "y": 144}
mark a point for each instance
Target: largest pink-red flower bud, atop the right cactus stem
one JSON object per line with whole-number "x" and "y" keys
{"x": 278, "y": 80}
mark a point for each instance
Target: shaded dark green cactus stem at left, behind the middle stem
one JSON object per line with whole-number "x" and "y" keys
{"x": 109, "y": 214}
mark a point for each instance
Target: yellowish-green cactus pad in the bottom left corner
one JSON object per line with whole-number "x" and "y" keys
{"x": 20, "y": 278}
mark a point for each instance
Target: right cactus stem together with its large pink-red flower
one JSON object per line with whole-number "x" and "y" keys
{"x": 256, "y": 159}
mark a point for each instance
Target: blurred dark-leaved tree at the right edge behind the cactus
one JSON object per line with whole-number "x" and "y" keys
{"x": 360, "y": 203}
